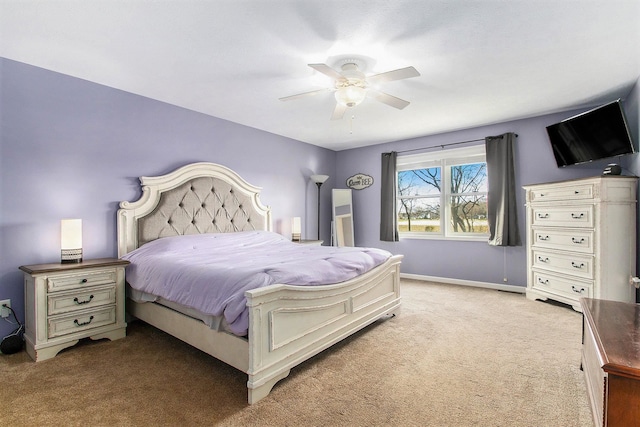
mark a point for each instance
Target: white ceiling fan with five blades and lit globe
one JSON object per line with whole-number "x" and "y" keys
{"x": 351, "y": 86}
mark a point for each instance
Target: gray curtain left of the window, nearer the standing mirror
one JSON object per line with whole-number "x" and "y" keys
{"x": 388, "y": 218}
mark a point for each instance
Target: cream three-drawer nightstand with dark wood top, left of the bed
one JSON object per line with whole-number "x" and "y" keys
{"x": 67, "y": 302}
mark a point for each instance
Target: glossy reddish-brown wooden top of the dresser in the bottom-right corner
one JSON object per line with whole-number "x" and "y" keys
{"x": 616, "y": 327}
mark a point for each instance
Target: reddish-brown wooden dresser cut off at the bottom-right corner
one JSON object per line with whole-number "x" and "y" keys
{"x": 611, "y": 361}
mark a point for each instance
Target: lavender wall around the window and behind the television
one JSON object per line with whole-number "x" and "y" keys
{"x": 474, "y": 261}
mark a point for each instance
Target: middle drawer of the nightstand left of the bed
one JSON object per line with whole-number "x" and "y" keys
{"x": 81, "y": 299}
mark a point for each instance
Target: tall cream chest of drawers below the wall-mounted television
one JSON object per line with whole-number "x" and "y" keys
{"x": 581, "y": 239}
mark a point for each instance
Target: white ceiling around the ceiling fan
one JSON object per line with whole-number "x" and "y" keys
{"x": 481, "y": 62}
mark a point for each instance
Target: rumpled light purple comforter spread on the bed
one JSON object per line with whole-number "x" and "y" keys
{"x": 211, "y": 272}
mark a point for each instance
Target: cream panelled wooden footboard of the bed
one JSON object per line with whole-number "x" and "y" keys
{"x": 290, "y": 324}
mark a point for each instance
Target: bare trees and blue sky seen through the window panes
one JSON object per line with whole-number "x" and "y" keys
{"x": 420, "y": 198}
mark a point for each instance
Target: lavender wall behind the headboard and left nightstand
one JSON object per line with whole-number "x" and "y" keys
{"x": 70, "y": 148}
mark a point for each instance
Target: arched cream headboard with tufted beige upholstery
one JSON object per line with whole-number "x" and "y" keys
{"x": 194, "y": 199}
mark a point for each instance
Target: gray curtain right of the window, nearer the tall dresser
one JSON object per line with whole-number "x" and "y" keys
{"x": 503, "y": 210}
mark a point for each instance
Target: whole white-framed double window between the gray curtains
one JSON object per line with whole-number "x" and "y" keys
{"x": 443, "y": 194}
